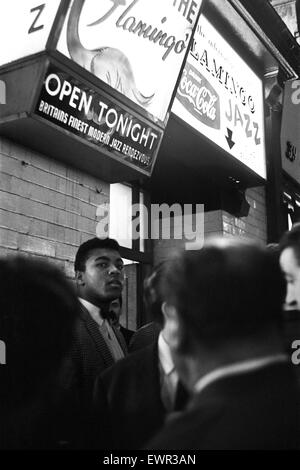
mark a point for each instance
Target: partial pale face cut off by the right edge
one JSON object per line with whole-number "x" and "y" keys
{"x": 290, "y": 267}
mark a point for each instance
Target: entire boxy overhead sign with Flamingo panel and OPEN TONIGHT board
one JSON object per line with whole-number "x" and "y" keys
{"x": 91, "y": 82}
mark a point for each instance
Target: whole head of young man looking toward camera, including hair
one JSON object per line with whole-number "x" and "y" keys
{"x": 99, "y": 270}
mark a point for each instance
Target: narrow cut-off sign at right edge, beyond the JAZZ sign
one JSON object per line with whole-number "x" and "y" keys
{"x": 290, "y": 138}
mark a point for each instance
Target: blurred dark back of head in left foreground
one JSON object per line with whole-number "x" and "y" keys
{"x": 38, "y": 310}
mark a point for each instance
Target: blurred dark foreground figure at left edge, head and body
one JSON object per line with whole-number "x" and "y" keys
{"x": 38, "y": 310}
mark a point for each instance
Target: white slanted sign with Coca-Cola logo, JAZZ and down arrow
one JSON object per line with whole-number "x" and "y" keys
{"x": 221, "y": 97}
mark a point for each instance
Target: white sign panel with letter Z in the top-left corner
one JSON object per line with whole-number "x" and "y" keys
{"x": 25, "y": 27}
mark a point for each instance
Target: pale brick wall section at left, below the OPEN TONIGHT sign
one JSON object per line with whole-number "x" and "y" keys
{"x": 46, "y": 208}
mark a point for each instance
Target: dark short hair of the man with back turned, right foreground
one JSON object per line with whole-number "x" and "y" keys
{"x": 228, "y": 289}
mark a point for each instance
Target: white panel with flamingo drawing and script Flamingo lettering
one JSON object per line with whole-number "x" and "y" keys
{"x": 137, "y": 47}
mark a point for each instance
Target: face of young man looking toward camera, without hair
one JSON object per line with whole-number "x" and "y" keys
{"x": 103, "y": 278}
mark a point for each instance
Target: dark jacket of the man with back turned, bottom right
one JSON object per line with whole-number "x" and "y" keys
{"x": 249, "y": 411}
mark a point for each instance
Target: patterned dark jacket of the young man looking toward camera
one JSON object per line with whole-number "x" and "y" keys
{"x": 88, "y": 357}
